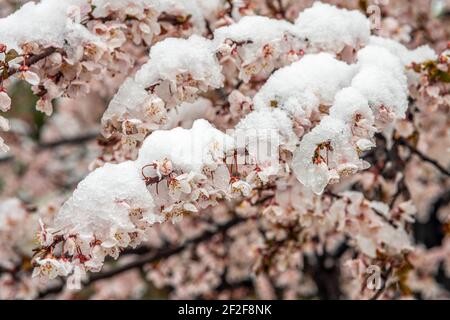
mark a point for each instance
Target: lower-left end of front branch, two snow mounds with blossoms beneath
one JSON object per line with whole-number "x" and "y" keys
{"x": 177, "y": 172}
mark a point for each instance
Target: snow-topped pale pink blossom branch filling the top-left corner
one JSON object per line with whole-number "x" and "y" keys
{"x": 66, "y": 46}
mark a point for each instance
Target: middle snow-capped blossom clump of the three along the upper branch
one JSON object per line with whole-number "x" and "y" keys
{"x": 256, "y": 45}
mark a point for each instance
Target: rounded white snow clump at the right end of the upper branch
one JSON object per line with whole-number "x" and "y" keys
{"x": 328, "y": 28}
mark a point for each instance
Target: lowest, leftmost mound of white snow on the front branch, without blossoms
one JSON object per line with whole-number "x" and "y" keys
{"x": 102, "y": 202}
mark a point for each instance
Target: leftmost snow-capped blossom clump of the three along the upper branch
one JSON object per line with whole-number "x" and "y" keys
{"x": 178, "y": 71}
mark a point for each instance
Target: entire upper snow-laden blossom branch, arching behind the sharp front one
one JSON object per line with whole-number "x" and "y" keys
{"x": 255, "y": 46}
